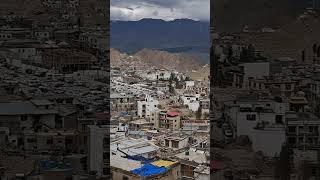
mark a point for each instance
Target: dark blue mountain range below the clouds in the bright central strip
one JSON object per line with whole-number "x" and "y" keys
{"x": 176, "y": 36}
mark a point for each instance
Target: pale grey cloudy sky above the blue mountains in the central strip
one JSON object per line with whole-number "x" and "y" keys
{"x": 160, "y": 9}
